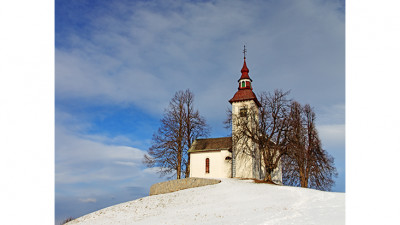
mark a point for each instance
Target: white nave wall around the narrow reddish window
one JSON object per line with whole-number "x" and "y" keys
{"x": 219, "y": 166}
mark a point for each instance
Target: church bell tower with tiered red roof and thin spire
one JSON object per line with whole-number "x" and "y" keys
{"x": 244, "y": 165}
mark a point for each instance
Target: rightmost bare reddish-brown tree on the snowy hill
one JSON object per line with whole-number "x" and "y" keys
{"x": 306, "y": 164}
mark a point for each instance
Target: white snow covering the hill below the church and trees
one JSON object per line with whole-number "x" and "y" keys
{"x": 232, "y": 201}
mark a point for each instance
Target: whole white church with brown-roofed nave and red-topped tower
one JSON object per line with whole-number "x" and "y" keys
{"x": 222, "y": 157}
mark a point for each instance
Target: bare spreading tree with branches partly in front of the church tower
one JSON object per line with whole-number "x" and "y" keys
{"x": 265, "y": 126}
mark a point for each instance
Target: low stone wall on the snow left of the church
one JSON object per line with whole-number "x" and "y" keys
{"x": 176, "y": 185}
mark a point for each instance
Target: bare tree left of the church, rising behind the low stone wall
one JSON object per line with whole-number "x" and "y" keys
{"x": 180, "y": 125}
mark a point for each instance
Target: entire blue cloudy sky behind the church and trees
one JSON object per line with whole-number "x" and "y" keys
{"x": 117, "y": 65}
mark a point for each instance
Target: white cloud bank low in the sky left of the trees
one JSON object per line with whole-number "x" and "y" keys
{"x": 87, "y": 166}
